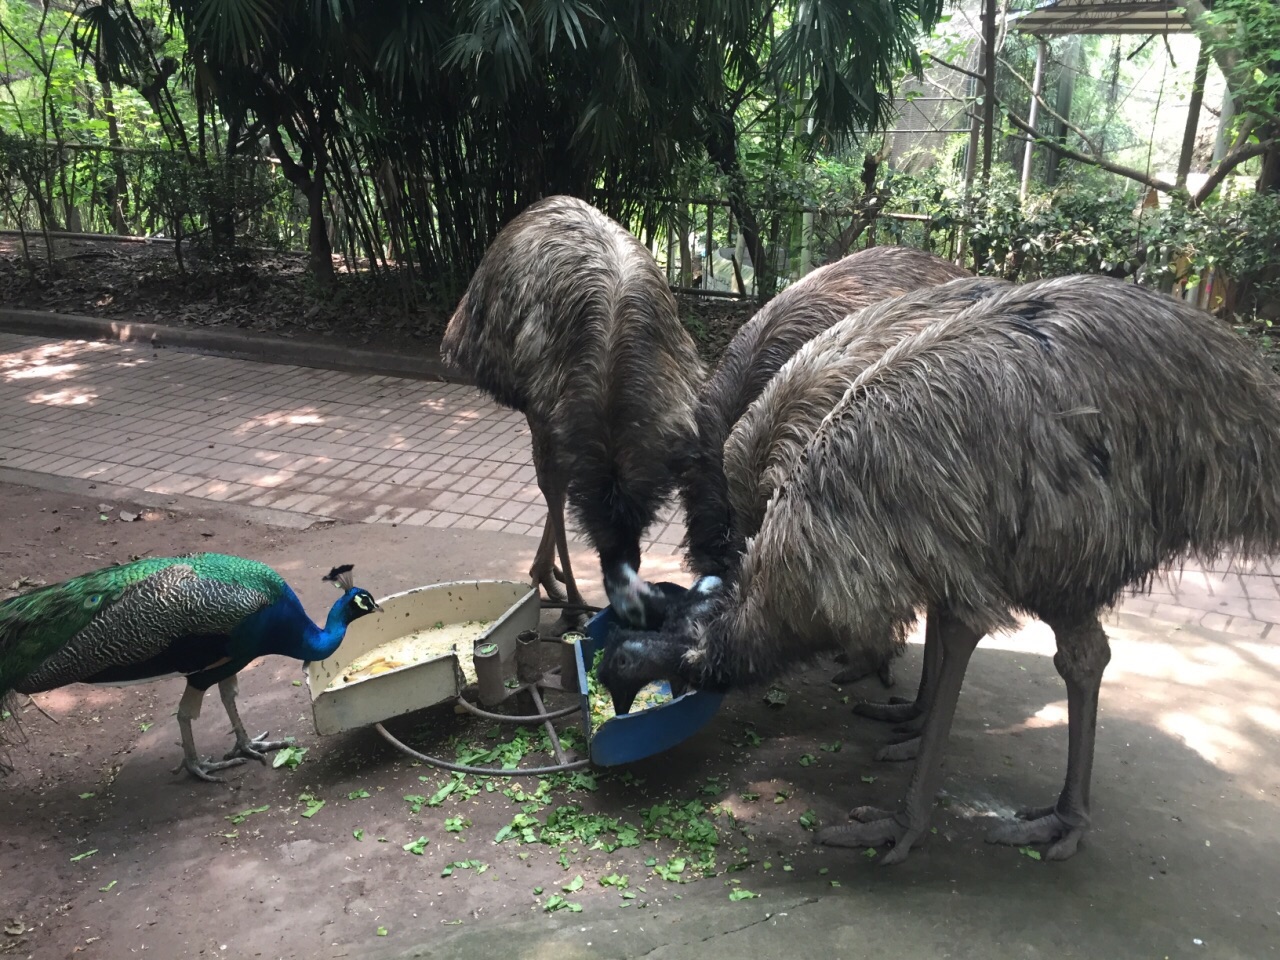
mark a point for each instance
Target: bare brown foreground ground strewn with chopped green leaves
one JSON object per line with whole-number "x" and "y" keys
{"x": 107, "y": 853}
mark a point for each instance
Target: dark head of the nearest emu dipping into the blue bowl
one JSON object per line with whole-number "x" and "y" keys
{"x": 634, "y": 659}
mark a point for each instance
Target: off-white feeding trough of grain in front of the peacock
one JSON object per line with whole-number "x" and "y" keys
{"x": 419, "y": 651}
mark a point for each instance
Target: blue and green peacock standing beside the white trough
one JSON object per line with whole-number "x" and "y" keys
{"x": 204, "y": 616}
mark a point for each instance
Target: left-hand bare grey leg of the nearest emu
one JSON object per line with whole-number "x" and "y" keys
{"x": 911, "y": 825}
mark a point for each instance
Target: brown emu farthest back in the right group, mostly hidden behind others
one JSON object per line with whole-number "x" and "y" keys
{"x": 756, "y": 354}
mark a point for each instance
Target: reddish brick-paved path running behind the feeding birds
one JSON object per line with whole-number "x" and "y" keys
{"x": 362, "y": 449}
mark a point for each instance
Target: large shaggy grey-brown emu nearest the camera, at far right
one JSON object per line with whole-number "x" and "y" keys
{"x": 1040, "y": 452}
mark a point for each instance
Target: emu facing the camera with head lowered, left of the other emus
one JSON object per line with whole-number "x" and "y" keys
{"x": 570, "y": 322}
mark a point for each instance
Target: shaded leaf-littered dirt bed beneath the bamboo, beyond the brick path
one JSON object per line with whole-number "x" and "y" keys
{"x": 269, "y": 295}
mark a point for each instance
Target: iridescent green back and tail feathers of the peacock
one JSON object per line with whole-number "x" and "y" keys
{"x": 36, "y": 625}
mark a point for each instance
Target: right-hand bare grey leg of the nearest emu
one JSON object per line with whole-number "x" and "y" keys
{"x": 1082, "y": 656}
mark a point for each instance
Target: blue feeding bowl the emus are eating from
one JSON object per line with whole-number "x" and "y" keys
{"x": 634, "y": 737}
